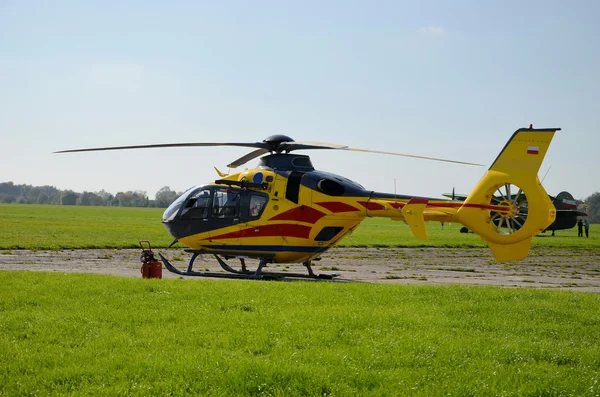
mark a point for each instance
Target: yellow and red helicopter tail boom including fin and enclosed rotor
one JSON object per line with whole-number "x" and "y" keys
{"x": 507, "y": 222}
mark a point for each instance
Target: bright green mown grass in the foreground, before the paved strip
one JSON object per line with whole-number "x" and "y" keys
{"x": 103, "y": 335}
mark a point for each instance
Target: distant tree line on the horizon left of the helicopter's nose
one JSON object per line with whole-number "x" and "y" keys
{"x": 28, "y": 194}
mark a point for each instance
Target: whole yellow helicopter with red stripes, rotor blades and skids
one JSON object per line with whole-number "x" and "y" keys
{"x": 285, "y": 211}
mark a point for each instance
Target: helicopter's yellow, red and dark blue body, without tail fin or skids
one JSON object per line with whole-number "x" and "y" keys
{"x": 284, "y": 210}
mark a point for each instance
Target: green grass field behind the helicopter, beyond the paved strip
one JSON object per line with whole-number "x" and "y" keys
{"x": 66, "y": 227}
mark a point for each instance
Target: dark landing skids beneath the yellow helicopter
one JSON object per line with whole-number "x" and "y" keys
{"x": 244, "y": 273}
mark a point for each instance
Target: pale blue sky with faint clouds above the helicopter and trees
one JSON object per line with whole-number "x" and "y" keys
{"x": 450, "y": 79}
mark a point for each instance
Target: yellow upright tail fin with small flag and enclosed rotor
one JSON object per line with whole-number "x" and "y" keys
{"x": 508, "y": 222}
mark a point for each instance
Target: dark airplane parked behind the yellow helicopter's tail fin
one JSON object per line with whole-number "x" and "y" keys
{"x": 565, "y": 204}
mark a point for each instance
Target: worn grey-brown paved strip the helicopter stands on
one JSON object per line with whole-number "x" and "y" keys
{"x": 544, "y": 268}
